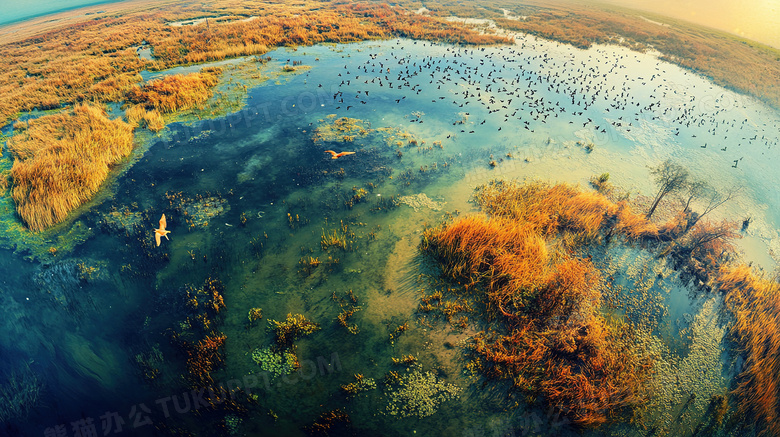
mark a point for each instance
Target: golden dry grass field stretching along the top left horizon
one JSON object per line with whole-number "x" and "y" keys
{"x": 95, "y": 58}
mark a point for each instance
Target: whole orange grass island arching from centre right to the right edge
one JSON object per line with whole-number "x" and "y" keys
{"x": 522, "y": 267}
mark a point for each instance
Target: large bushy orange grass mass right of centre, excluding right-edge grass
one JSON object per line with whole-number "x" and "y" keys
{"x": 551, "y": 340}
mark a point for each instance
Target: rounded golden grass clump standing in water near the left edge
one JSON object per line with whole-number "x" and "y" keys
{"x": 61, "y": 160}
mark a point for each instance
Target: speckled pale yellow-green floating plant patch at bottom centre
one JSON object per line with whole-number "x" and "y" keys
{"x": 418, "y": 394}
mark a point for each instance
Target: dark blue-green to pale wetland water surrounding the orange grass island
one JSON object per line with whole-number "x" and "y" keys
{"x": 248, "y": 196}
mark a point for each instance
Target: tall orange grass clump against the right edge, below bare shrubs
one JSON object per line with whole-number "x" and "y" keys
{"x": 755, "y": 303}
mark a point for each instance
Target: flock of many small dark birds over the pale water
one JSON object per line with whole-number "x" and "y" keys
{"x": 527, "y": 88}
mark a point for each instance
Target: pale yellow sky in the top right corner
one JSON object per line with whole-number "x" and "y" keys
{"x": 758, "y": 20}
